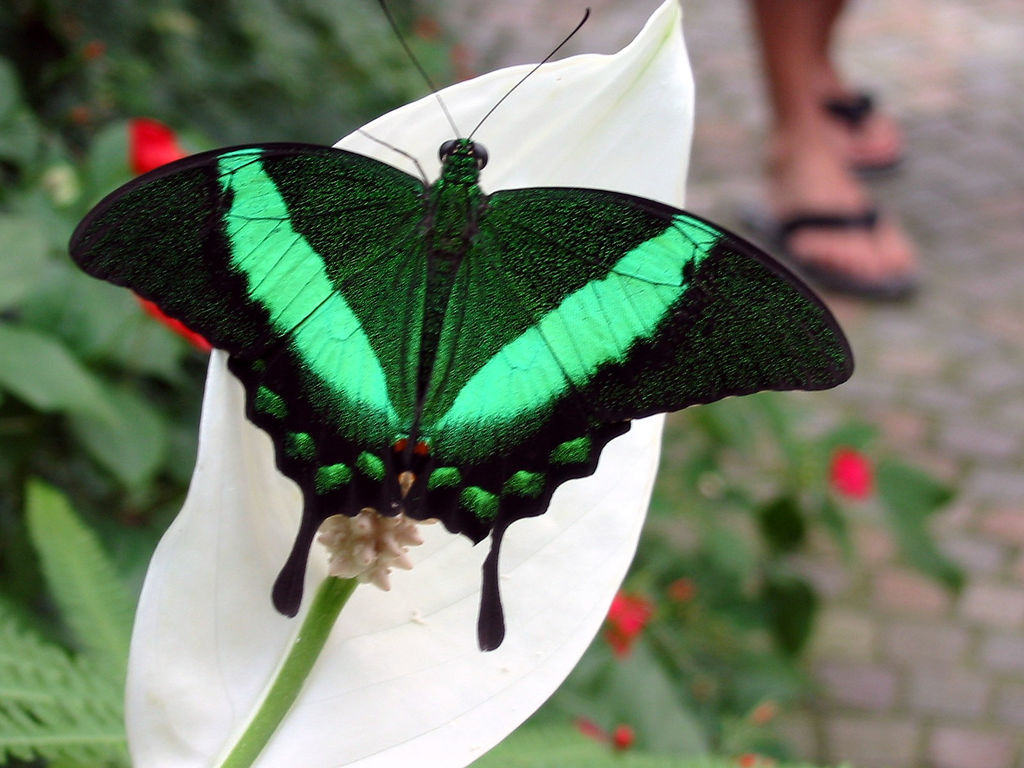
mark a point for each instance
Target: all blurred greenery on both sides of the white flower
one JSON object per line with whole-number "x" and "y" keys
{"x": 102, "y": 402}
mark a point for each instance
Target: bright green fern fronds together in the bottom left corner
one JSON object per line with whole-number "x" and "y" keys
{"x": 66, "y": 709}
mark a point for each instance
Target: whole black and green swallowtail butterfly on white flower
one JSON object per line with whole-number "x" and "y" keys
{"x": 439, "y": 352}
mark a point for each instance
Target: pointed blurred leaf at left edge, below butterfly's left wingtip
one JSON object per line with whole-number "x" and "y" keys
{"x": 44, "y": 373}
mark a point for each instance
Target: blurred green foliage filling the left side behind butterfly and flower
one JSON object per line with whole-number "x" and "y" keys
{"x": 97, "y": 398}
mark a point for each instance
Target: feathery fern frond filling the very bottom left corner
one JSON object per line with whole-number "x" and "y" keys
{"x": 54, "y": 707}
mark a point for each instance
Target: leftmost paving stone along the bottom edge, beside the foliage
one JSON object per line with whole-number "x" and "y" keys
{"x": 872, "y": 743}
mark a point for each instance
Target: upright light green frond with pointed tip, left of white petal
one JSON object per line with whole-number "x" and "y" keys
{"x": 93, "y": 602}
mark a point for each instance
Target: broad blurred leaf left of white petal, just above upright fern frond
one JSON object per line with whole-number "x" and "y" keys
{"x": 134, "y": 446}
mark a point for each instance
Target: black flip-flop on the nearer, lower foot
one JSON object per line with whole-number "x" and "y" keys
{"x": 780, "y": 232}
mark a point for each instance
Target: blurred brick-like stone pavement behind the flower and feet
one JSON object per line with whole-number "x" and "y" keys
{"x": 910, "y": 676}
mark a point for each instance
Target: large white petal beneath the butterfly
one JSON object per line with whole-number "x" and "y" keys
{"x": 402, "y": 681}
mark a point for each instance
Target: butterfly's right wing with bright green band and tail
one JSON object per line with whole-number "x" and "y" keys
{"x": 581, "y": 310}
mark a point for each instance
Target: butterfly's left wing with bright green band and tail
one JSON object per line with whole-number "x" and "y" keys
{"x": 307, "y": 264}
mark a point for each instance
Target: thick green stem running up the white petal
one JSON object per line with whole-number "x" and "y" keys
{"x": 330, "y": 600}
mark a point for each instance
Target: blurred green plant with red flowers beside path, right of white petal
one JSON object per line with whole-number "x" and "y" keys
{"x": 746, "y": 495}
